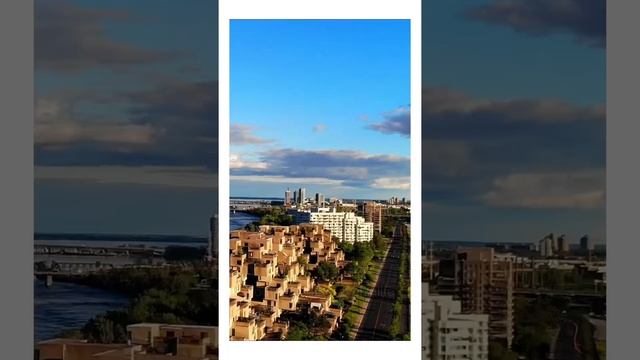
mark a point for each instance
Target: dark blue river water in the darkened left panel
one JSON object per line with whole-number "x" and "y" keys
{"x": 67, "y": 306}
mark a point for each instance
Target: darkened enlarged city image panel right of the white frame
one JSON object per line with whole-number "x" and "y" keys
{"x": 513, "y": 246}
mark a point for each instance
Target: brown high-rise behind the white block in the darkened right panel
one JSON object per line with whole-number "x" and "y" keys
{"x": 483, "y": 282}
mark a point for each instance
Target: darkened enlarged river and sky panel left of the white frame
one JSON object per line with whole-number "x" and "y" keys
{"x": 125, "y": 163}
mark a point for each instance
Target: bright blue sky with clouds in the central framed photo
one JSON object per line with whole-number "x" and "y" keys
{"x": 324, "y": 104}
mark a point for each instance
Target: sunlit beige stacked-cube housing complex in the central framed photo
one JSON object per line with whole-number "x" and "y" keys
{"x": 269, "y": 275}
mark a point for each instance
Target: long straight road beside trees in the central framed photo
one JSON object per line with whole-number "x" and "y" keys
{"x": 377, "y": 319}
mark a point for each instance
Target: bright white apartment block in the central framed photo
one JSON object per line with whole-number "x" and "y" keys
{"x": 344, "y": 225}
